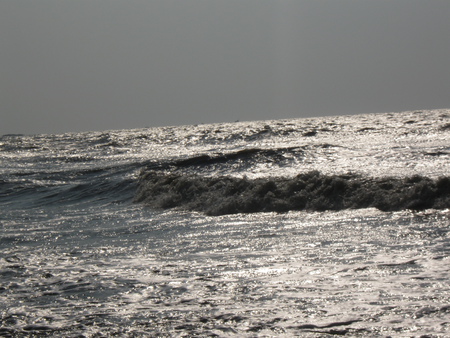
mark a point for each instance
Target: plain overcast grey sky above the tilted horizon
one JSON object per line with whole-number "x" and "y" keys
{"x": 113, "y": 64}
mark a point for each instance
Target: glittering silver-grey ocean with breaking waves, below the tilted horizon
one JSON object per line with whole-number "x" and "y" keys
{"x": 303, "y": 227}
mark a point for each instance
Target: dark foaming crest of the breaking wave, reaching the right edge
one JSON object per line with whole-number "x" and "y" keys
{"x": 311, "y": 191}
